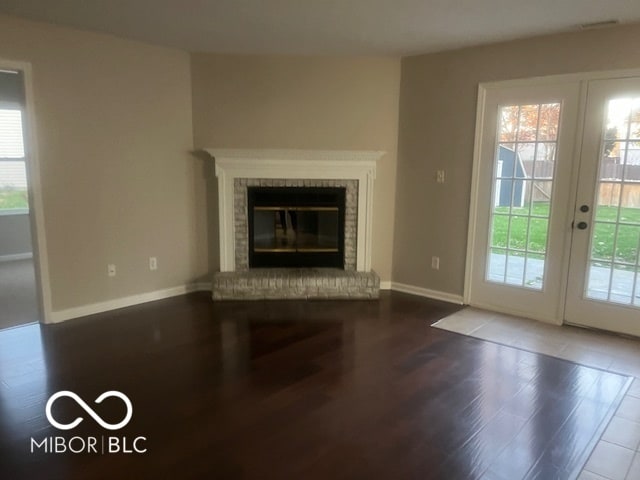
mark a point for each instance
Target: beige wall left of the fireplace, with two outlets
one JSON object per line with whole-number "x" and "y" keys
{"x": 114, "y": 129}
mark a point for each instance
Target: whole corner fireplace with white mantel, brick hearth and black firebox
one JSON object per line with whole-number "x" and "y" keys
{"x": 295, "y": 224}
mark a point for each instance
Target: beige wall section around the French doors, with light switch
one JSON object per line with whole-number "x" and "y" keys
{"x": 437, "y": 124}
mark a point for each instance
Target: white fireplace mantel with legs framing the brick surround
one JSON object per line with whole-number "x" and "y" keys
{"x": 294, "y": 164}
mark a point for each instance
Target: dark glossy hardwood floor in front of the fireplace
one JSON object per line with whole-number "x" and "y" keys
{"x": 294, "y": 390}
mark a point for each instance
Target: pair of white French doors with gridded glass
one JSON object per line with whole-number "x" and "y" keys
{"x": 555, "y": 219}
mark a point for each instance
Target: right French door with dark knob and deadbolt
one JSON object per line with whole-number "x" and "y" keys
{"x": 604, "y": 291}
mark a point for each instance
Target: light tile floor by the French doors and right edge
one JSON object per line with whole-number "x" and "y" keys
{"x": 617, "y": 454}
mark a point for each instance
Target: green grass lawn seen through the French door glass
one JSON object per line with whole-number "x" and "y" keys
{"x": 628, "y": 235}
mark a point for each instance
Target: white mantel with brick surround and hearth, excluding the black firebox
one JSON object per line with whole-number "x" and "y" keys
{"x": 238, "y": 169}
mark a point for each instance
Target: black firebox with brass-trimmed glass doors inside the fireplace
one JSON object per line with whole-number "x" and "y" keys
{"x": 296, "y": 227}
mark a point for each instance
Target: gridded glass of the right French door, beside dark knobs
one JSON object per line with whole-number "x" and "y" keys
{"x": 615, "y": 236}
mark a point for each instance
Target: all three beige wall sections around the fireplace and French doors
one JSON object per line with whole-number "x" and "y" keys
{"x": 114, "y": 124}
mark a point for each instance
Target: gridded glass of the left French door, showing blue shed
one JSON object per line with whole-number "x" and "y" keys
{"x": 522, "y": 184}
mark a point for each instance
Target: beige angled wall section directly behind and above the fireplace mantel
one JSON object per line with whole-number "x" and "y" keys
{"x": 305, "y": 103}
